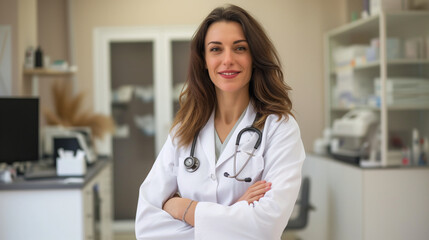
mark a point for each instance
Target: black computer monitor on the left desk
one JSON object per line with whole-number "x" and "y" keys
{"x": 19, "y": 129}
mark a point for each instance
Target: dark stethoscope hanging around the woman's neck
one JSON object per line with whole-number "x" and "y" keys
{"x": 192, "y": 163}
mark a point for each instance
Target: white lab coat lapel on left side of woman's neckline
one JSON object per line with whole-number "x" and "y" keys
{"x": 206, "y": 140}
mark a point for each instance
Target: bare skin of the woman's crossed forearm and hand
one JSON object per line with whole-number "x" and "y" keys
{"x": 184, "y": 208}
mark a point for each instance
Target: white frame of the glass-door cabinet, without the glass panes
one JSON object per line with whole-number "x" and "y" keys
{"x": 161, "y": 36}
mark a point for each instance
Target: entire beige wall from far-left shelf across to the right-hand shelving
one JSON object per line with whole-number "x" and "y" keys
{"x": 296, "y": 28}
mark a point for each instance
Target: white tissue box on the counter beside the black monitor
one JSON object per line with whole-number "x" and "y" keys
{"x": 71, "y": 166}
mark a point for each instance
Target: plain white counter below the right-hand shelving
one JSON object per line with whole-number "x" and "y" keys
{"x": 356, "y": 203}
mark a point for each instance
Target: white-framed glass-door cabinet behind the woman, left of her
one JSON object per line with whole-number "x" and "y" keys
{"x": 139, "y": 74}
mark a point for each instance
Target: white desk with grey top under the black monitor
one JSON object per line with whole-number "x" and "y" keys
{"x": 56, "y": 209}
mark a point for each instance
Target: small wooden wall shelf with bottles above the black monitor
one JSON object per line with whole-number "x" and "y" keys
{"x": 43, "y": 72}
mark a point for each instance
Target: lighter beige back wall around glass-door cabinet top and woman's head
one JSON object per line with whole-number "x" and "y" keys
{"x": 296, "y": 28}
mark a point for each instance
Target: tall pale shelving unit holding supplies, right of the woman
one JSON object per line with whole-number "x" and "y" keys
{"x": 394, "y": 118}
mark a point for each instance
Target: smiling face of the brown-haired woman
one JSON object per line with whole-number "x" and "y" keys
{"x": 228, "y": 58}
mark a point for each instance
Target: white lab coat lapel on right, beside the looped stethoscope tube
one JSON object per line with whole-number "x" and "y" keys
{"x": 229, "y": 150}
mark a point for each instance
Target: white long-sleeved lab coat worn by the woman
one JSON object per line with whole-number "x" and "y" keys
{"x": 218, "y": 216}
